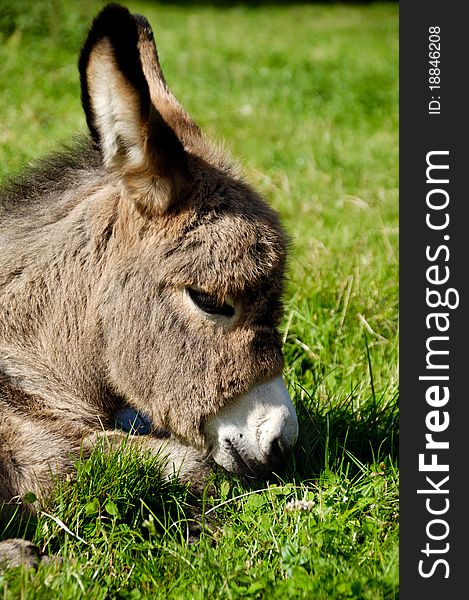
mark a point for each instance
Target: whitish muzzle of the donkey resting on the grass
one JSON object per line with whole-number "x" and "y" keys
{"x": 255, "y": 434}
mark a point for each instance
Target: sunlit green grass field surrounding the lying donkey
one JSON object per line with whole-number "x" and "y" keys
{"x": 306, "y": 97}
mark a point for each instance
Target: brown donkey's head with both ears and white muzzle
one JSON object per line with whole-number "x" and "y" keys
{"x": 189, "y": 297}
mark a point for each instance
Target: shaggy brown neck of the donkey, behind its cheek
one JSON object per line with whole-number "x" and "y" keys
{"x": 50, "y": 331}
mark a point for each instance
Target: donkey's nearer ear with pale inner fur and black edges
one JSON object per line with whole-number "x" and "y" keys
{"x": 136, "y": 142}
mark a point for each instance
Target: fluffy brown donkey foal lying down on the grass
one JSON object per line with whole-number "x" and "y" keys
{"x": 138, "y": 272}
